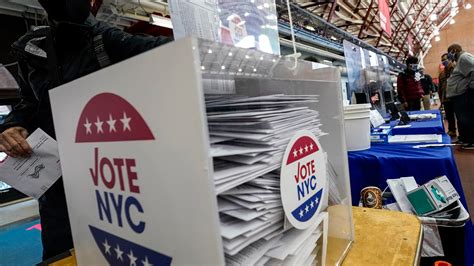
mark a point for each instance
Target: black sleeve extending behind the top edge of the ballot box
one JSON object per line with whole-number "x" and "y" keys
{"x": 121, "y": 45}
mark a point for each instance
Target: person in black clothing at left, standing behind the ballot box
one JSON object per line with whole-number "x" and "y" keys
{"x": 75, "y": 44}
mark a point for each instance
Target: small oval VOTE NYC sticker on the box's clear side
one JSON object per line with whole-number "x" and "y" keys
{"x": 303, "y": 179}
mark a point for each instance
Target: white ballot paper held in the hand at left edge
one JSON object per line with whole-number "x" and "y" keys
{"x": 35, "y": 174}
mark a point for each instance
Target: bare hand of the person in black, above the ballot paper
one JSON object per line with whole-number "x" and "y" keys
{"x": 13, "y": 142}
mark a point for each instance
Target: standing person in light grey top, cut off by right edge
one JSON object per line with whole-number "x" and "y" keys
{"x": 460, "y": 90}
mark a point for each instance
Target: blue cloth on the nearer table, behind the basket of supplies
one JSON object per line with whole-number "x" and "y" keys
{"x": 374, "y": 166}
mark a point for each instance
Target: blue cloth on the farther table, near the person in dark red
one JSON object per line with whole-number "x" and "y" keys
{"x": 432, "y": 126}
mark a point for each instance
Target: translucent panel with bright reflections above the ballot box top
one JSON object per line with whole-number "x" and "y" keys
{"x": 246, "y": 24}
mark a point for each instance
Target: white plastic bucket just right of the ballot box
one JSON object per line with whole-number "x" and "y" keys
{"x": 357, "y": 132}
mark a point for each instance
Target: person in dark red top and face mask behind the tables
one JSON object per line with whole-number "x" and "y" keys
{"x": 409, "y": 87}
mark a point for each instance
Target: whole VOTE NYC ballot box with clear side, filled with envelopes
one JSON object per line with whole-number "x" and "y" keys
{"x": 154, "y": 165}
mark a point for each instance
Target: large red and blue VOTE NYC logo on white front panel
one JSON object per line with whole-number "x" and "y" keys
{"x": 109, "y": 118}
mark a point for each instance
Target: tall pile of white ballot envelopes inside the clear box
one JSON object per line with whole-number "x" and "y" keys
{"x": 248, "y": 139}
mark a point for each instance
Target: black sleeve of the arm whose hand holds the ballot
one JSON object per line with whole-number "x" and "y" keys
{"x": 23, "y": 114}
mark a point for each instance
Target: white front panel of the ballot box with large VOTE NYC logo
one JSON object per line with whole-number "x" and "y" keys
{"x": 134, "y": 177}
